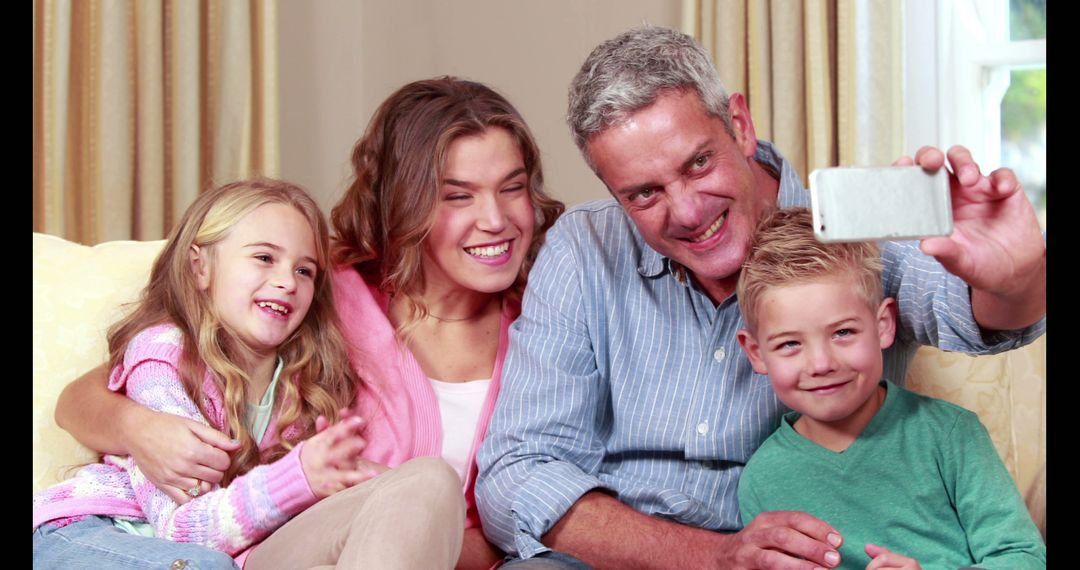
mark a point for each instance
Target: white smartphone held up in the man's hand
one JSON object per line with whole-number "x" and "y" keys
{"x": 859, "y": 205}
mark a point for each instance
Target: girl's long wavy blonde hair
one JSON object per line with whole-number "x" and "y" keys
{"x": 316, "y": 379}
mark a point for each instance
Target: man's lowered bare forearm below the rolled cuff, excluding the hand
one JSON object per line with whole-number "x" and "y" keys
{"x": 604, "y": 533}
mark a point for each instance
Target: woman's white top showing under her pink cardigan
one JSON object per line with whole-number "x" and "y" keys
{"x": 460, "y": 404}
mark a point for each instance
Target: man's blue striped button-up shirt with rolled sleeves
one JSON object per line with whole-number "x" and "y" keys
{"x": 623, "y": 377}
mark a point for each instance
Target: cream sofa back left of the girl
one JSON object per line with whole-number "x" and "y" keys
{"x": 78, "y": 293}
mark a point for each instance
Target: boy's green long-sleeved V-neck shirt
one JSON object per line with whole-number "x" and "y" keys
{"x": 923, "y": 480}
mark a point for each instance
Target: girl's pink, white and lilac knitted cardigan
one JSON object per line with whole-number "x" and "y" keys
{"x": 231, "y": 520}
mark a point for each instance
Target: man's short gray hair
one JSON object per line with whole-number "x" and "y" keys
{"x": 630, "y": 72}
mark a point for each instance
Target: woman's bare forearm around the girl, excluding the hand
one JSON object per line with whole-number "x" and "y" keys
{"x": 93, "y": 414}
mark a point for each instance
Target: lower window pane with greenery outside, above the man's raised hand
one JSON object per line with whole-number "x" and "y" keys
{"x": 1024, "y": 134}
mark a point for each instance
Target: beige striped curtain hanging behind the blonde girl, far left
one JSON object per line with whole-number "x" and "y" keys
{"x": 140, "y": 105}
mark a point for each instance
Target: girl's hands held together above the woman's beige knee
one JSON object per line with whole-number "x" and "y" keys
{"x": 331, "y": 458}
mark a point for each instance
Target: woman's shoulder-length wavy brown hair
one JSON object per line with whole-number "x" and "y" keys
{"x": 389, "y": 208}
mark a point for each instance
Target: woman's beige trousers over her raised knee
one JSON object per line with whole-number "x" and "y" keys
{"x": 412, "y": 517}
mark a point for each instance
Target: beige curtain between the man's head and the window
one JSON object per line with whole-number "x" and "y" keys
{"x": 823, "y": 78}
